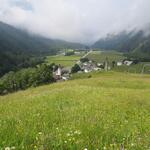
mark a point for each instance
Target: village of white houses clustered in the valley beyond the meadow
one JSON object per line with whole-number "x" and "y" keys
{"x": 86, "y": 65}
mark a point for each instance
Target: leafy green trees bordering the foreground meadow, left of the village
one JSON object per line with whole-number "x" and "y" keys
{"x": 25, "y": 78}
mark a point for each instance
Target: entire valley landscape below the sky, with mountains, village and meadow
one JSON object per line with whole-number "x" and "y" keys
{"x": 67, "y": 96}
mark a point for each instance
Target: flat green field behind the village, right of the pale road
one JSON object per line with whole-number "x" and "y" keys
{"x": 100, "y": 56}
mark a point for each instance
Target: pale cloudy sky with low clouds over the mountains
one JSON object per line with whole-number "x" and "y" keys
{"x": 82, "y": 21}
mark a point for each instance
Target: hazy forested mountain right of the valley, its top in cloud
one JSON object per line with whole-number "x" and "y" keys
{"x": 135, "y": 44}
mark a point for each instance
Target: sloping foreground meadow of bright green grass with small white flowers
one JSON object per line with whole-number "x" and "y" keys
{"x": 107, "y": 111}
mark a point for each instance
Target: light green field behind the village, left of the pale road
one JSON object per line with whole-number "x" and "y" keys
{"x": 66, "y": 61}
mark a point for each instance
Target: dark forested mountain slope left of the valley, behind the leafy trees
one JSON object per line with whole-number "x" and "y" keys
{"x": 20, "y": 49}
